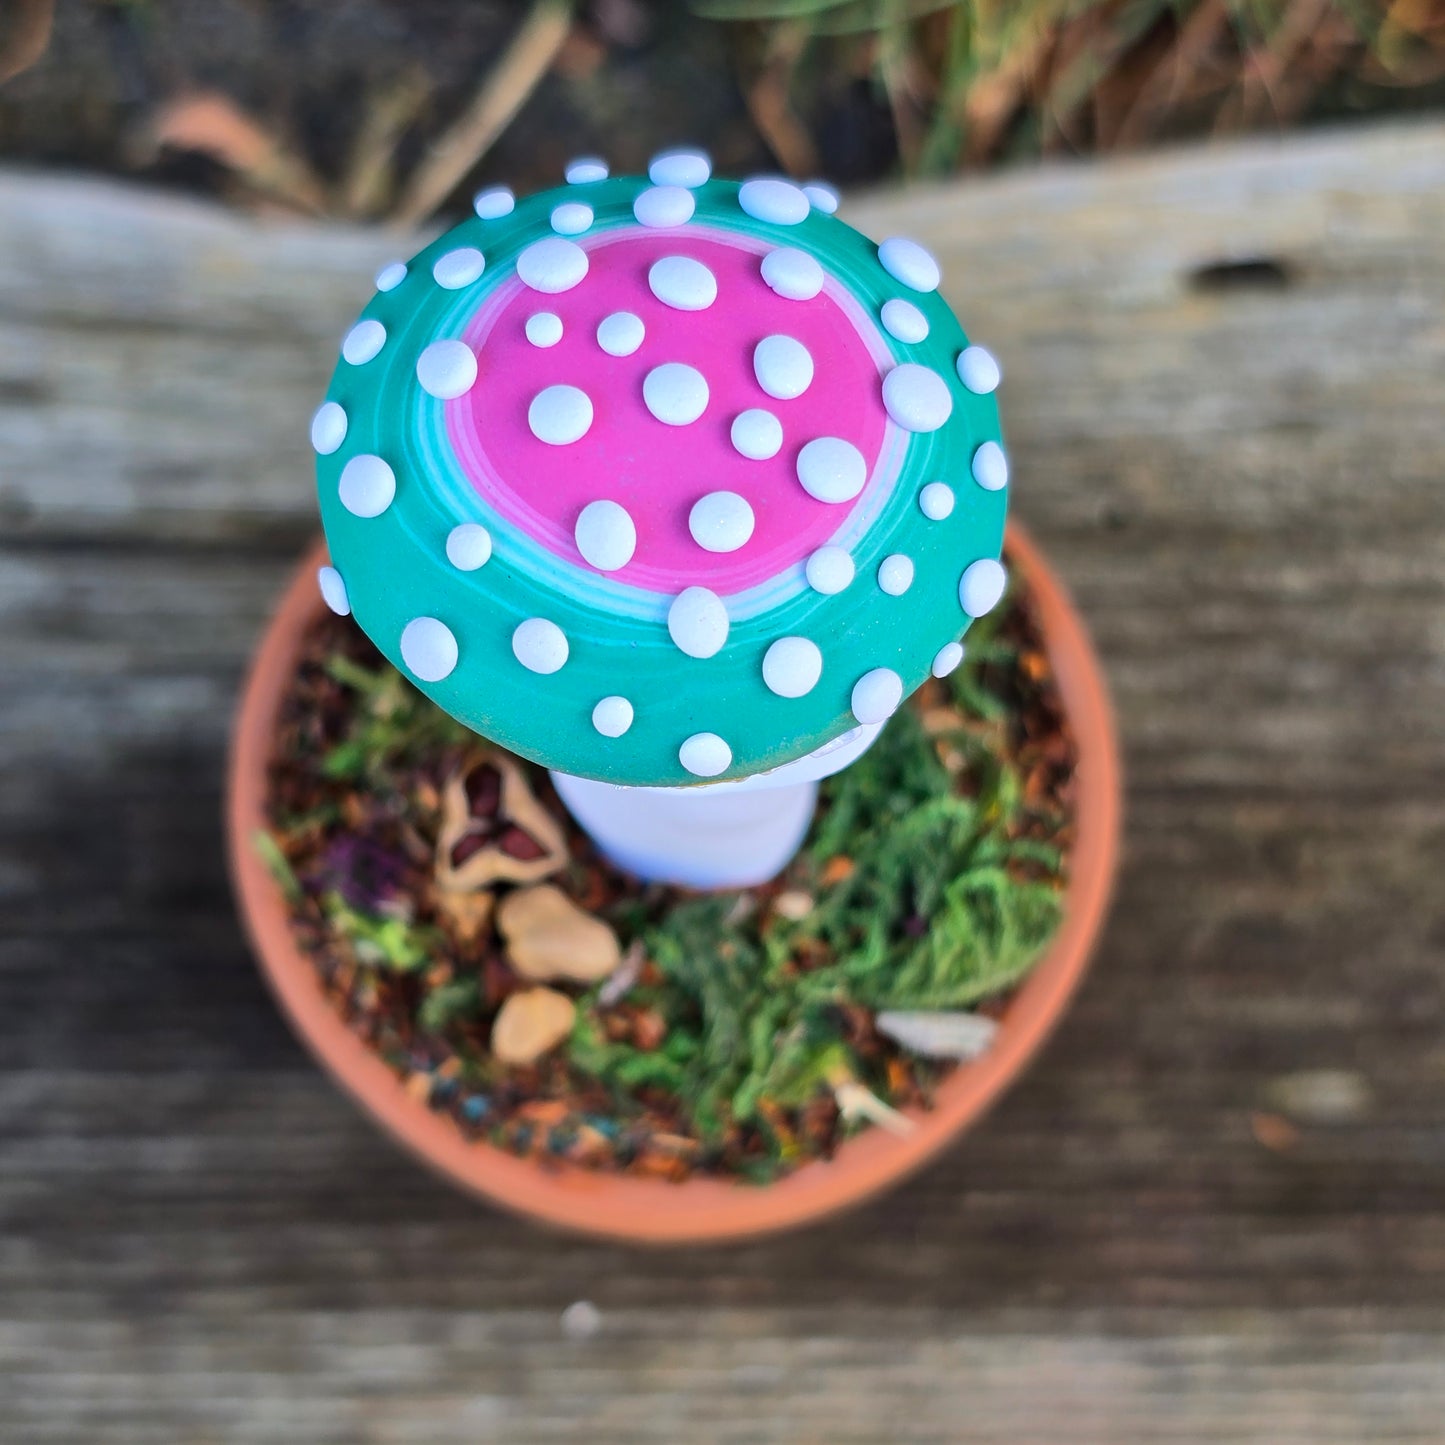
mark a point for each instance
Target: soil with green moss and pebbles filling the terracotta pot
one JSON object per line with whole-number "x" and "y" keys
{"x": 472, "y": 936}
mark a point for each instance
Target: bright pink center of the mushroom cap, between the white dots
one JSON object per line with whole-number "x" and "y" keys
{"x": 655, "y": 470}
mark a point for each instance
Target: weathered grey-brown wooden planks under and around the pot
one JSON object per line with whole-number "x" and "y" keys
{"x": 1215, "y": 1210}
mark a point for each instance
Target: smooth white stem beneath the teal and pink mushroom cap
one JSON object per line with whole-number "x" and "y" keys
{"x": 715, "y": 836}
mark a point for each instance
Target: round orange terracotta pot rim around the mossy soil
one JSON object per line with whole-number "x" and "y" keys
{"x": 699, "y": 1210}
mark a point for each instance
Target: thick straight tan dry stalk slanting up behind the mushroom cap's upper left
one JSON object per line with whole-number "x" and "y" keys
{"x": 502, "y": 95}
